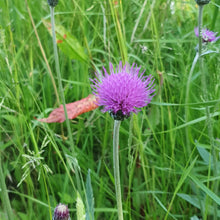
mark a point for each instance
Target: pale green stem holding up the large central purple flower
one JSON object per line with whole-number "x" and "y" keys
{"x": 116, "y": 168}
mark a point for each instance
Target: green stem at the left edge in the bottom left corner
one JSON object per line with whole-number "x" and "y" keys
{"x": 4, "y": 193}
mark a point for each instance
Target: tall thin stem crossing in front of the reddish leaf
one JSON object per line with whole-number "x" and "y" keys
{"x": 62, "y": 95}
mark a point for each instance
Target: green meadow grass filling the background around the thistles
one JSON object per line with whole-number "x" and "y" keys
{"x": 165, "y": 160}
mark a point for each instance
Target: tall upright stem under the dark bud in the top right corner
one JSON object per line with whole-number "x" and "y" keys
{"x": 209, "y": 123}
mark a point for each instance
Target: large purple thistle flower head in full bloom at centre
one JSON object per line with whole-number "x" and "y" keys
{"x": 123, "y": 91}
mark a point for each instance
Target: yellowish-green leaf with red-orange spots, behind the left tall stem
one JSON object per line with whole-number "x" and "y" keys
{"x": 67, "y": 43}
